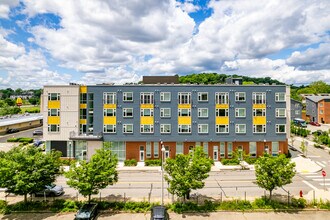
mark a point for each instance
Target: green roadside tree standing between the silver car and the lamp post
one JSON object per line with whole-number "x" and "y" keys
{"x": 89, "y": 177}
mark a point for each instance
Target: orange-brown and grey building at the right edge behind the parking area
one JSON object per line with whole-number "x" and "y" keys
{"x": 318, "y": 108}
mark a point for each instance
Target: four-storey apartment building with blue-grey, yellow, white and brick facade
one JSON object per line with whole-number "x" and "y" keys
{"x": 137, "y": 120}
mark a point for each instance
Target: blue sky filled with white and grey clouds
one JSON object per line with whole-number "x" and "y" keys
{"x": 55, "y": 42}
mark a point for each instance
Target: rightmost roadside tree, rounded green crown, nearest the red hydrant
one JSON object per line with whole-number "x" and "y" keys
{"x": 272, "y": 172}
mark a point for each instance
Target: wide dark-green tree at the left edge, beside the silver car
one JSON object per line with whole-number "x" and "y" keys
{"x": 26, "y": 169}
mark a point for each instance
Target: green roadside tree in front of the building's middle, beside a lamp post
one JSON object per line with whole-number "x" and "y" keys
{"x": 187, "y": 172}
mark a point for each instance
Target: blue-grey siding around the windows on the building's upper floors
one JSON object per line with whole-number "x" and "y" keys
{"x": 194, "y": 89}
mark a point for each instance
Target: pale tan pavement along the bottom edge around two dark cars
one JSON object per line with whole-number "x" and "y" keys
{"x": 306, "y": 215}
